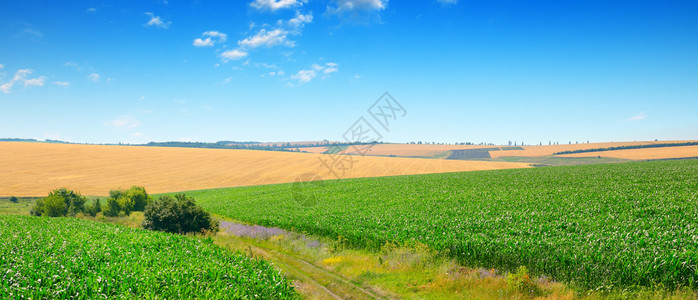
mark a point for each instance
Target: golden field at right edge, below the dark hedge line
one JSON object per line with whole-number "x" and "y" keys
{"x": 644, "y": 153}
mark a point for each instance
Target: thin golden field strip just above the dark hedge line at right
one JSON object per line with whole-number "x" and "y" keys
{"x": 550, "y": 150}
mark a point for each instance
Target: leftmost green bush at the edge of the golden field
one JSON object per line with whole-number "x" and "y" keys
{"x": 60, "y": 202}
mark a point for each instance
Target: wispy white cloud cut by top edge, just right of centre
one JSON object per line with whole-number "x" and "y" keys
{"x": 361, "y": 11}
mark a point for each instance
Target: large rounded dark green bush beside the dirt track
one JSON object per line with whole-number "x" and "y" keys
{"x": 178, "y": 214}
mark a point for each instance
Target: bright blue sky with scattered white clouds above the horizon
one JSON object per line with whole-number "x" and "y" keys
{"x": 292, "y": 70}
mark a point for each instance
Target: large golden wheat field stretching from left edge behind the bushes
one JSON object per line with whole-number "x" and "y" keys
{"x": 34, "y": 169}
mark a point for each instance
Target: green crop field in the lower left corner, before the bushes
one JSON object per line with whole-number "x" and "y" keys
{"x": 68, "y": 258}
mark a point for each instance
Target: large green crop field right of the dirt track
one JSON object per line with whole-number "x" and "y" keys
{"x": 593, "y": 227}
